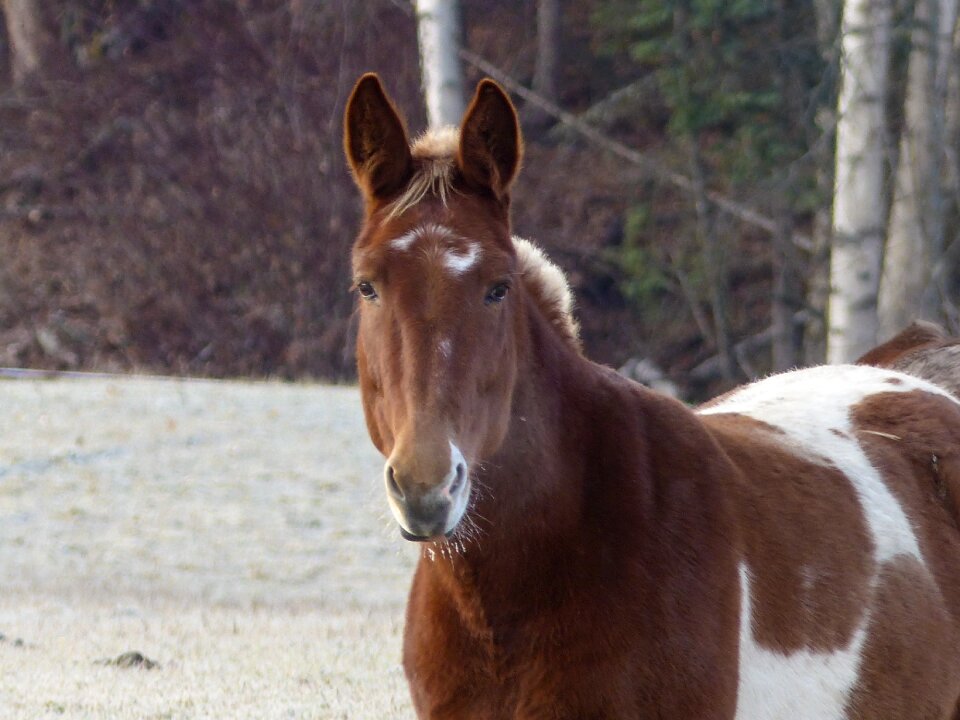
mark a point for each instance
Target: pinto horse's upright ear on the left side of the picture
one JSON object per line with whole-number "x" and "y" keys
{"x": 375, "y": 141}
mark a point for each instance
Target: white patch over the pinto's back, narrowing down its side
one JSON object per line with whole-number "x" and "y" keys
{"x": 812, "y": 407}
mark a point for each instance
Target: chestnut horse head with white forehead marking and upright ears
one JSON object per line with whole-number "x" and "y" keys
{"x": 435, "y": 270}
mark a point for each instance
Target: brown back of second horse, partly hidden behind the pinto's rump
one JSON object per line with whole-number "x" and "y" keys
{"x": 923, "y": 349}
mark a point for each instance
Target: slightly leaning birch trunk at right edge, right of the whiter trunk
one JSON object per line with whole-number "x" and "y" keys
{"x": 915, "y": 237}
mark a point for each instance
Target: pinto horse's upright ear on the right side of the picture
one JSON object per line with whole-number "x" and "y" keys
{"x": 490, "y": 142}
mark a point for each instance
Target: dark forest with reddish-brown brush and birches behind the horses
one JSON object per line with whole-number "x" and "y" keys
{"x": 733, "y": 187}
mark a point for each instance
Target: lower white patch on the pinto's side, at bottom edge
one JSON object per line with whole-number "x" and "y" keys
{"x": 805, "y": 685}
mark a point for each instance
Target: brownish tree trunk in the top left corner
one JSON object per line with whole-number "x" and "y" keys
{"x": 34, "y": 47}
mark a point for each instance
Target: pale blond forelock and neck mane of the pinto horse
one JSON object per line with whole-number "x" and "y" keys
{"x": 434, "y": 154}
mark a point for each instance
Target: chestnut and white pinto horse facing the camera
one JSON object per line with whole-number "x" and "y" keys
{"x": 595, "y": 550}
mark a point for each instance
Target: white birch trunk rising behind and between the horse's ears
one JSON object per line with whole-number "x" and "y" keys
{"x": 439, "y": 32}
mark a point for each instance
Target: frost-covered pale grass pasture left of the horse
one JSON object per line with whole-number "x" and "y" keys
{"x": 234, "y": 533}
